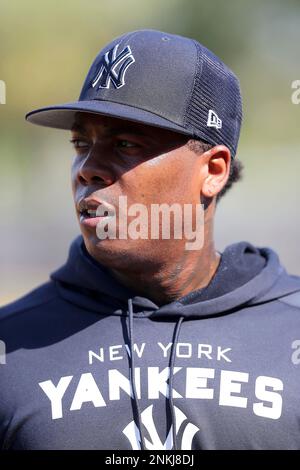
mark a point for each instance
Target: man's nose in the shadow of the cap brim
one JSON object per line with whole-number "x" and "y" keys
{"x": 94, "y": 170}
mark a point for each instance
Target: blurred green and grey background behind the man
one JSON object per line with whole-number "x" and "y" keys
{"x": 45, "y": 51}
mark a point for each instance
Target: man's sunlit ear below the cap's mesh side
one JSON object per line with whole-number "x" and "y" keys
{"x": 216, "y": 170}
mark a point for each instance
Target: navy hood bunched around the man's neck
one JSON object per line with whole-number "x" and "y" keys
{"x": 246, "y": 275}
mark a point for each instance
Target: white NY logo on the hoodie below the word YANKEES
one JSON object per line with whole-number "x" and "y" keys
{"x": 133, "y": 435}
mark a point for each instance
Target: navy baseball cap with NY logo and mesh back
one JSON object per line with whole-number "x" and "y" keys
{"x": 158, "y": 79}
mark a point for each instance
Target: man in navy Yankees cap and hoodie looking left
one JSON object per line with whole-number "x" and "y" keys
{"x": 144, "y": 340}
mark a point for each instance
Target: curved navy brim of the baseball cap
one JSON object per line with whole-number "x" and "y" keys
{"x": 63, "y": 116}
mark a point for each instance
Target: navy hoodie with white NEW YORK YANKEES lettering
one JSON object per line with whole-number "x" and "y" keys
{"x": 89, "y": 364}
